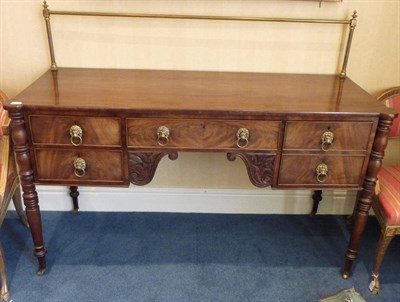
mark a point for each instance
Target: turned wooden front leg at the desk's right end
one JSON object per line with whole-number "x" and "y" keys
{"x": 364, "y": 198}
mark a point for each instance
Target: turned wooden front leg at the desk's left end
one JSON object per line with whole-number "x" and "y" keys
{"x": 23, "y": 158}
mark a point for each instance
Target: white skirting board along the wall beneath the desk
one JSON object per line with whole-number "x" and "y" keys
{"x": 234, "y": 201}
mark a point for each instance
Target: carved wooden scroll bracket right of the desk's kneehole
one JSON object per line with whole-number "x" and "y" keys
{"x": 260, "y": 167}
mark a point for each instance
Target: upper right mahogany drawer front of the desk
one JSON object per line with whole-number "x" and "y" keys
{"x": 346, "y": 135}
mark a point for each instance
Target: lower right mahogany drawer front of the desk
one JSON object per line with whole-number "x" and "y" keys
{"x": 300, "y": 170}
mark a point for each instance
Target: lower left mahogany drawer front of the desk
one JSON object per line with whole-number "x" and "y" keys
{"x": 58, "y": 165}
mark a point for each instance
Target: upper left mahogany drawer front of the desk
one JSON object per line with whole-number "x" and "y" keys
{"x": 55, "y": 130}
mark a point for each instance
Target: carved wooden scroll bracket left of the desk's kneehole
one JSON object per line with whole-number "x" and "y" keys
{"x": 143, "y": 165}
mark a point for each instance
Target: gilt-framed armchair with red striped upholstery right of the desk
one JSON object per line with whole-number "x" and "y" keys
{"x": 387, "y": 204}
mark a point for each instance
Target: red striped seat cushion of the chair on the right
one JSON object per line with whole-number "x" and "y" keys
{"x": 389, "y": 195}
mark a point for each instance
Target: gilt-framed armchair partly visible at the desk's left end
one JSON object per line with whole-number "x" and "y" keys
{"x": 9, "y": 187}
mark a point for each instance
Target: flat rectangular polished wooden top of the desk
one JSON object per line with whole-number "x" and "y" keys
{"x": 202, "y": 91}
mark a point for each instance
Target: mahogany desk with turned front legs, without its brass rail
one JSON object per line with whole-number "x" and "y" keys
{"x": 120, "y": 111}
